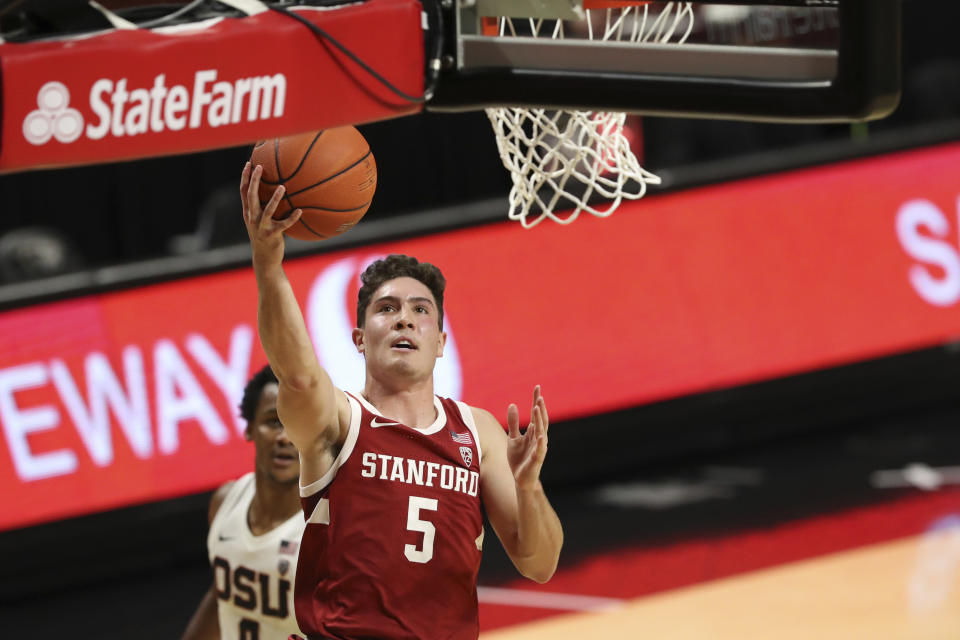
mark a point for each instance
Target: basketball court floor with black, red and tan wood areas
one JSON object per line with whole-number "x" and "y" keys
{"x": 855, "y": 535}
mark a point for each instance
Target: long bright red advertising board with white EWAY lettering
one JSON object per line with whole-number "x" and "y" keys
{"x": 131, "y": 396}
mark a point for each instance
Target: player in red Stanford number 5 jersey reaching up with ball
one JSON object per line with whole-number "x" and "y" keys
{"x": 393, "y": 479}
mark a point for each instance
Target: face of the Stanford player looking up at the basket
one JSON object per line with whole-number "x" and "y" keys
{"x": 401, "y": 333}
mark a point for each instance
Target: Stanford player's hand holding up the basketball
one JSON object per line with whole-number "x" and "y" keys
{"x": 266, "y": 232}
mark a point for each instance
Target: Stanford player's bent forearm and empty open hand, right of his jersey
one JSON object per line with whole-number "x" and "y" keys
{"x": 512, "y": 494}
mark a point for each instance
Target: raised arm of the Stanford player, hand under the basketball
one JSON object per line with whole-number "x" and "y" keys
{"x": 308, "y": 404}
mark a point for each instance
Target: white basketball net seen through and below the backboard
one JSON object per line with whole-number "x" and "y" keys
{"x": 563, "y": 159}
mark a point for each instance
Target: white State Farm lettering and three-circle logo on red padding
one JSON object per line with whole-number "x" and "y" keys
{"x": 121, "y": 110}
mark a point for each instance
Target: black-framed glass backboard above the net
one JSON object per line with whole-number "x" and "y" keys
{"x": 772, "y": 60}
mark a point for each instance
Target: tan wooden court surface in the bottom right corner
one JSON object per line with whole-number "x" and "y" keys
{"x": 905, "y": 590}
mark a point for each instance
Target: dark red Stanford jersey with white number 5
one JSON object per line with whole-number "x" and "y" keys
{"x": 392, "y": 543}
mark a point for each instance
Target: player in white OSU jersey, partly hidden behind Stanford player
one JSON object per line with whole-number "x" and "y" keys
{"x": 256, "y": 523}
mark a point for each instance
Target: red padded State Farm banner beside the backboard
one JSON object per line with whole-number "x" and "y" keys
{"x": 136, "y": 93}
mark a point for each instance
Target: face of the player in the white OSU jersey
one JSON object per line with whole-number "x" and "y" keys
{"x": 276, "y": 456}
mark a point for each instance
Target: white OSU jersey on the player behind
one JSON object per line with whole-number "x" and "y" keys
{"x": 253, "y": 575}
